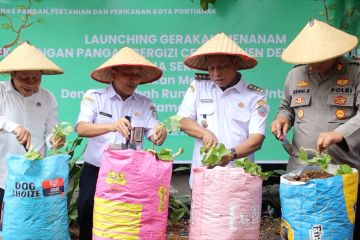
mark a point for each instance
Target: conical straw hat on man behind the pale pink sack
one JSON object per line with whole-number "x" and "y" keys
{"x": 220, "y": 44}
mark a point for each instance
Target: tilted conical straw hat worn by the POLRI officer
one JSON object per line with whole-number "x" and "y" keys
{"x": 318, "y": 42}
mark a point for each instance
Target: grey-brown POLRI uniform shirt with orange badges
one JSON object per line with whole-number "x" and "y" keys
{"x": 314, "y": 105}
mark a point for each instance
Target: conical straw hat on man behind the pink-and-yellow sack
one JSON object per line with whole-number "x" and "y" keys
{"x": 127, "y": 57}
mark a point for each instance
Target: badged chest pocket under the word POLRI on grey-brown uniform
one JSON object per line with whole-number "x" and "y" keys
{"x": 341, "y": 107}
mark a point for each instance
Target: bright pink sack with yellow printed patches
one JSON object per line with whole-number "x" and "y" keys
{"x": 132, "y": 196}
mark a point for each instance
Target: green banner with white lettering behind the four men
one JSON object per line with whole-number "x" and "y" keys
{"x": 80, "y": 35}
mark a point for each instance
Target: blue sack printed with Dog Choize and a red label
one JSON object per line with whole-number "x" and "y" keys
{"x": 35, "y": 203}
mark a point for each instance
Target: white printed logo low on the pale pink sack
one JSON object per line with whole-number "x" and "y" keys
{"x": 238, "y": 217}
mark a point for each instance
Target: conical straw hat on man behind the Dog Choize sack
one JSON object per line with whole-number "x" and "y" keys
{"x": 26, "y": 57}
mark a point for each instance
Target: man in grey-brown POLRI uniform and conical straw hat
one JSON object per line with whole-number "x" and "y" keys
{"x": 321, "y": 97}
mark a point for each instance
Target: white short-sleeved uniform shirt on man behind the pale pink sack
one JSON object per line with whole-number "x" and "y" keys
{"x": 231, "y": 115}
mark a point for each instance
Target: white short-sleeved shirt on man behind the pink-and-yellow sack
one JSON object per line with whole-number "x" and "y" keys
{"x": 105, "y": 106}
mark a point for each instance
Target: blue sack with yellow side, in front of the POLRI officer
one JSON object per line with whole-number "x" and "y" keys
{"x": 320, "y": 209}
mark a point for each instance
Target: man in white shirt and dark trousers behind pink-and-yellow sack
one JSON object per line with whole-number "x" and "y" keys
{"x": 102, "y": 119}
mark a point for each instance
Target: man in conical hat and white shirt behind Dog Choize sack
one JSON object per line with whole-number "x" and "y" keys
{"x": 28, "y": 113}
